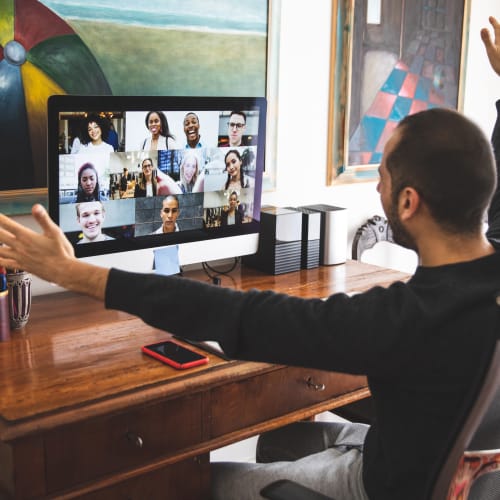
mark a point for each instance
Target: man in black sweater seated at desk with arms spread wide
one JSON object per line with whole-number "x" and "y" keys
{"x": 422, "y": 343}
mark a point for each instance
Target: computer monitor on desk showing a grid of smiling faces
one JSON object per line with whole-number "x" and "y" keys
{"x": 136, "y": 172}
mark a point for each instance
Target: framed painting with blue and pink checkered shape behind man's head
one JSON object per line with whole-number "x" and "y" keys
{"x": 389, "y": 59}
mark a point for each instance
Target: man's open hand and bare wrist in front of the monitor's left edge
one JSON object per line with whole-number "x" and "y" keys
{"x": 48, "y": 255}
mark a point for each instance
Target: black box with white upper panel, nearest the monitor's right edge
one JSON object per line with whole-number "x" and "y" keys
{"x": 280, "y": 241}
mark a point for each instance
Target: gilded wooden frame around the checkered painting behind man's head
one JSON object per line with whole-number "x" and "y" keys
{"x": 343, "y": 19}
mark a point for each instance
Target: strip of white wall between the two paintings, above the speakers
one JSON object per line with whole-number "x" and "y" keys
{"x": 303, "y": 117}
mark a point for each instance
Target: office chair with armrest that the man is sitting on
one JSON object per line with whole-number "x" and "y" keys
{"x": 461, "y": 468}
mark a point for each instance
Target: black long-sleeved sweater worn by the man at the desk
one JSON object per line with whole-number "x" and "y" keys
{"x": 422, "y": 344}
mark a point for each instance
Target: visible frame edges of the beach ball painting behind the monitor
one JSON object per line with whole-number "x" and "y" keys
{"x": 16, "y": 202}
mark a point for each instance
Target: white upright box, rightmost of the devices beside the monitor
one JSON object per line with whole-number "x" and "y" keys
{"x": 333, "y": 237}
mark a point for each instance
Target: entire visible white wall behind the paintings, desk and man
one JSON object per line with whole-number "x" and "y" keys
{"x": 303, "y": 110}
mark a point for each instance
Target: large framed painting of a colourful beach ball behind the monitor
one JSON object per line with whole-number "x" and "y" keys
{"x": 173, "y": 47}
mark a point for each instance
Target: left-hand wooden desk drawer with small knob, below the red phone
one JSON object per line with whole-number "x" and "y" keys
{"x": 88, "y": 450}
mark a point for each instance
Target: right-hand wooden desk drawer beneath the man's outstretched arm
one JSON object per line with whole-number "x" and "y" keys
{"x": 248, "y": 402}
